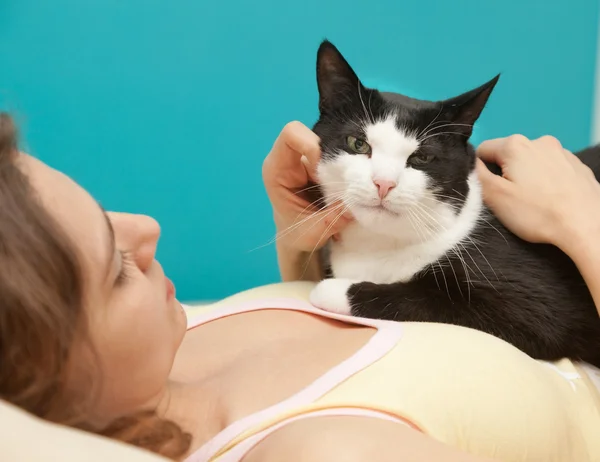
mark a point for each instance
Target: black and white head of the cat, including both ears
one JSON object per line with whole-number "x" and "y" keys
{"x": 394, "y": 161}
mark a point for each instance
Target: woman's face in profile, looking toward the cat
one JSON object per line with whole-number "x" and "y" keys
{"x": 135, "y": 323}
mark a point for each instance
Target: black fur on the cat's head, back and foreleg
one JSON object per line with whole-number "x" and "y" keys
{"x": 530, "y": 295}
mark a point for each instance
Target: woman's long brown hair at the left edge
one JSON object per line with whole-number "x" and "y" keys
{"x": 42, "y": 313}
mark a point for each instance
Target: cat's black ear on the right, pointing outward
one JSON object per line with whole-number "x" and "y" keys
{"x": 465, "y": 109}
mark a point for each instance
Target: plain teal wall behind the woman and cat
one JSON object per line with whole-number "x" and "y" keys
{"x": 168, "y": 107}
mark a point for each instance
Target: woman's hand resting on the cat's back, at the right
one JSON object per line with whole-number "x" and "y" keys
{"x": 545, "y": 194}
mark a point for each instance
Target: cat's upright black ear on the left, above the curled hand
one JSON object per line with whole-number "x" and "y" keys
{"x": 336, "y": 80}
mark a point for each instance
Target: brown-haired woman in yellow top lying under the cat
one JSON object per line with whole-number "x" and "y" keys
{"x": 91, "y": 334}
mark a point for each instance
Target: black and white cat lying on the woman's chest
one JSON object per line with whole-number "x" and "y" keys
{"x": 423, "y": 246}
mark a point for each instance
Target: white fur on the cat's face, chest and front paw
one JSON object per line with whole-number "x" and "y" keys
{"x": 414, "y": 230}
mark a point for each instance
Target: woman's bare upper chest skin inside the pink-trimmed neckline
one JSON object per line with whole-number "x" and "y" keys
{"x": 254, "y": 360}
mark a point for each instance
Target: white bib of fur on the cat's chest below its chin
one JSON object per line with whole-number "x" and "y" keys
{"x": 365, "y": 255}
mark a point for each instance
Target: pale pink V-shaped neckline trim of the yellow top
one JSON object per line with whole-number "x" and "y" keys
{"x": 387, "y": 336}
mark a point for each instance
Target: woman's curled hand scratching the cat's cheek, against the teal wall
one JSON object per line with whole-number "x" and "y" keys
{"x": 288, "y": 169}
